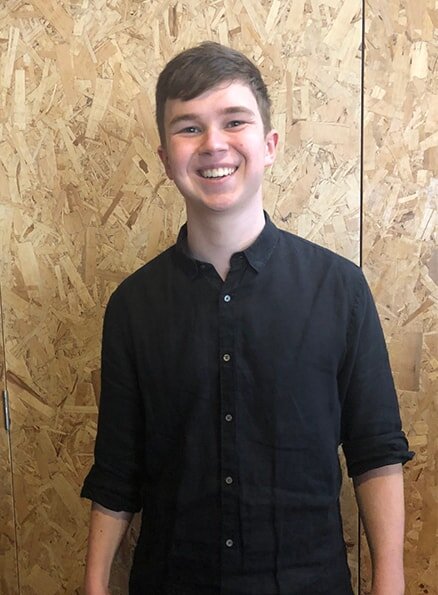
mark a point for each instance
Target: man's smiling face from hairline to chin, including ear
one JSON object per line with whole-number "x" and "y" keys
{"x": 216, "y": 149}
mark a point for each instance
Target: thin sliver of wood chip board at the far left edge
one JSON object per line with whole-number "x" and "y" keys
{"x": 8, "y": 561}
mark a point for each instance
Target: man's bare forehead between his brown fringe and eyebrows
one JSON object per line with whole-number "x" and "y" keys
{"x": 225, "y": 98}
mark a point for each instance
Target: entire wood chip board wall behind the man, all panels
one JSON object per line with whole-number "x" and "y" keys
{"x": 84, "y": 202}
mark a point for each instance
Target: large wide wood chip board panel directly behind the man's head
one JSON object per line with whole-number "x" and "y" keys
{"x": 85, "y": 202}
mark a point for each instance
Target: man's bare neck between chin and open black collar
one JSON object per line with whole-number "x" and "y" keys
{"x": 214, "y": 237}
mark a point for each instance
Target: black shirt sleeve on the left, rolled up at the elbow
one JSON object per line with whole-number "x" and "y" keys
{"x": 115, "y": 479}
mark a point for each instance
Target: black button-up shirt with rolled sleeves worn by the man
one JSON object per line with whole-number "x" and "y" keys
{"x": 222, "y": 409}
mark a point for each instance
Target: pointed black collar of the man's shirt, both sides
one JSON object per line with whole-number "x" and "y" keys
{"x": 257, "y": 254}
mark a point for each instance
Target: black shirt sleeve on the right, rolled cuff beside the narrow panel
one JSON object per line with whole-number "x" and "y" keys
{"x": 371, "y": 432}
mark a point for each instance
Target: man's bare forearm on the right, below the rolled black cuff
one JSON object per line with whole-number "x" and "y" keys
{"x": 380, "y": 498}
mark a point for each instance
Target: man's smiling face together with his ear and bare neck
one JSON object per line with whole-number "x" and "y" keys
{"x": 215, "y": 148}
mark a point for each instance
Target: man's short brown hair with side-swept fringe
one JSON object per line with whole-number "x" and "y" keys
{"x": 199, "y": 69}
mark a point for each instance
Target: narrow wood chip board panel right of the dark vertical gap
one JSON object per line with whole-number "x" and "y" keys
{"x": 400, "y": 252}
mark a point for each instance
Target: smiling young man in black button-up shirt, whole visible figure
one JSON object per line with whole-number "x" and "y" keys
{"x": 233, "y": 366}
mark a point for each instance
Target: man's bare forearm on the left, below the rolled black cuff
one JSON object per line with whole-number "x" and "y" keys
{"x": 107, "y": 529}
